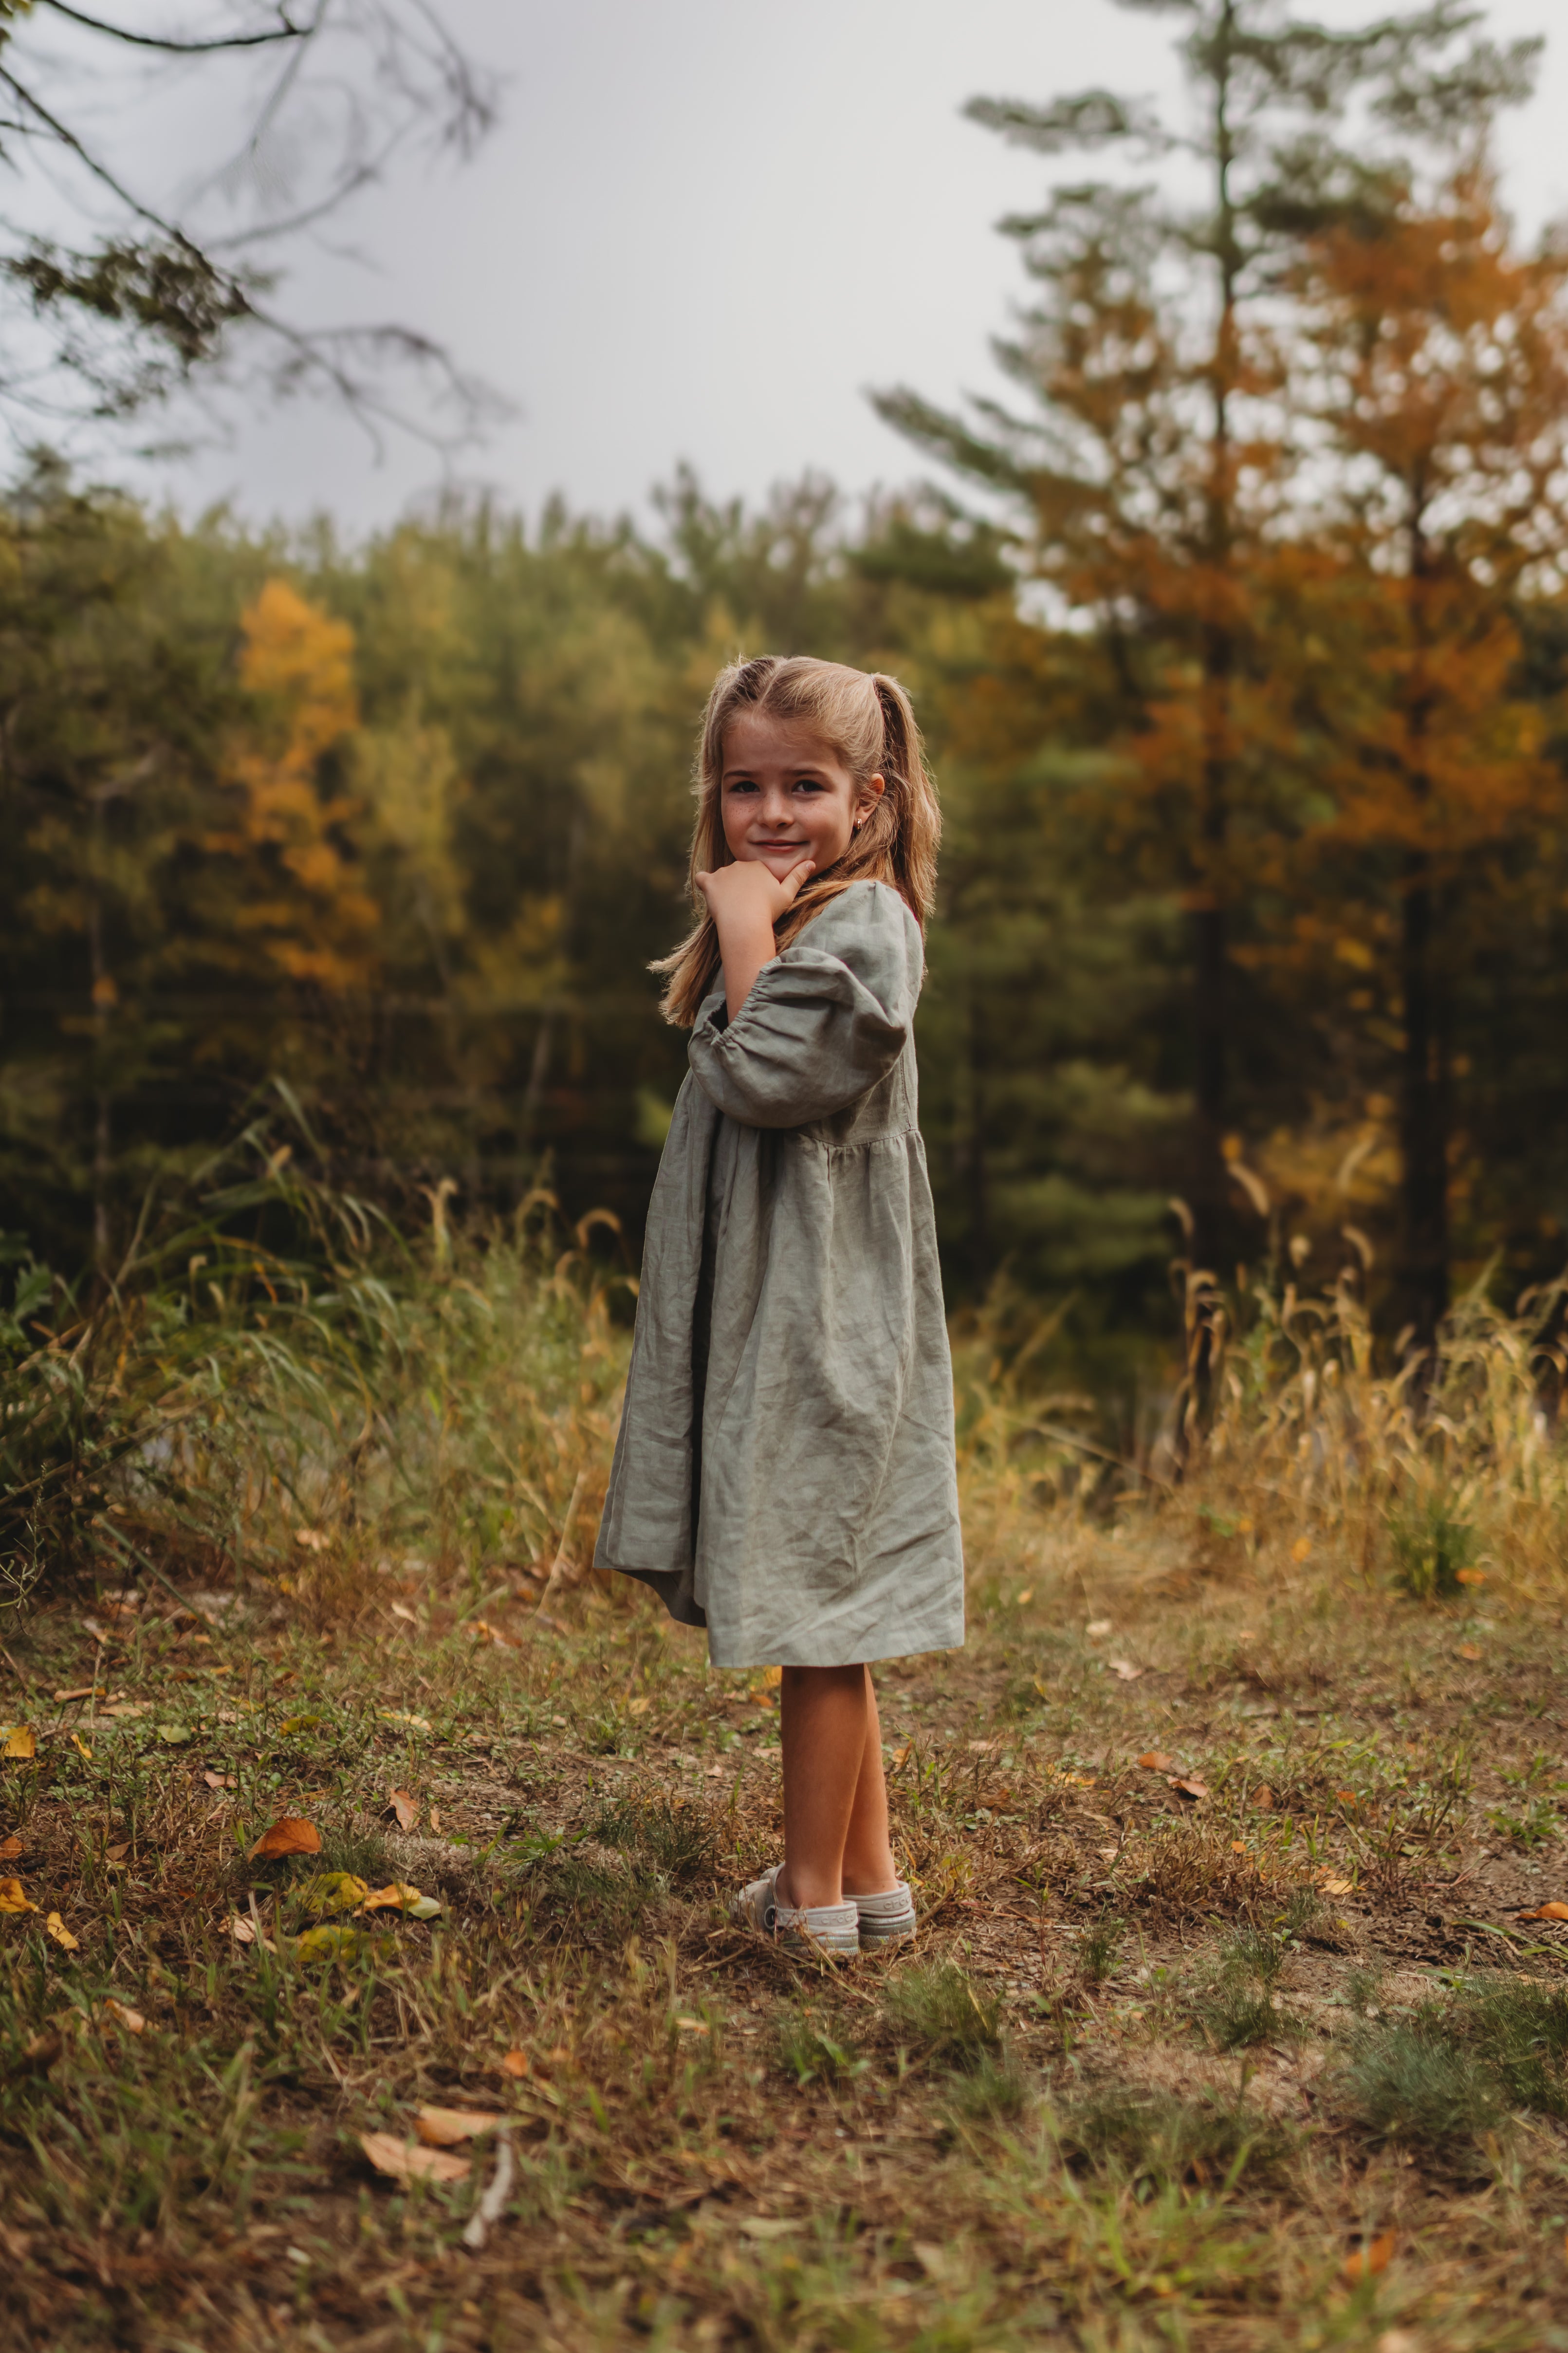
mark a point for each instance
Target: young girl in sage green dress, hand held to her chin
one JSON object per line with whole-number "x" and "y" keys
{"x": 785, "y": 1462}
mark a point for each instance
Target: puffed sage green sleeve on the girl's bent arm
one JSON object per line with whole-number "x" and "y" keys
{"x": 825, "y": 1020}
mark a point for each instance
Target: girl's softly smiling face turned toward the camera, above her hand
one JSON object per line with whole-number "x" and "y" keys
{"x": 785, "y": 796}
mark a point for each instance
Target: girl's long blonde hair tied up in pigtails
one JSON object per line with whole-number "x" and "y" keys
{"x": 868, "y": 724}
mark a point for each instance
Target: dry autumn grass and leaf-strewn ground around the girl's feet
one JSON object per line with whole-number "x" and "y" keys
{"x": 1155, "y": 2067}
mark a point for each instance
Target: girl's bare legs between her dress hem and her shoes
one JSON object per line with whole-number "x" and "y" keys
{"x": 835, "y": 1797}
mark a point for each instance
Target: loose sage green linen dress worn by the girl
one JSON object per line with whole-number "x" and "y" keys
{"x": 785, "y": 1460}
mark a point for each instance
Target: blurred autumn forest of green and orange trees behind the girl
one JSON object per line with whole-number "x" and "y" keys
{"x": 401, "y": 825}
